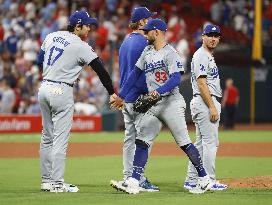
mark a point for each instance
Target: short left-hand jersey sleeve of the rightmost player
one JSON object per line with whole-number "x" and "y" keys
{"x": 200, "y": 65}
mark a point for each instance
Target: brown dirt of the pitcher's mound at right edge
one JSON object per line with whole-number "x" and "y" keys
{"x": 250, "y": 182}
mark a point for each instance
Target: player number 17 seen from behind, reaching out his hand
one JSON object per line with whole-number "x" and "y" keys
{"x": 63, "y": 55}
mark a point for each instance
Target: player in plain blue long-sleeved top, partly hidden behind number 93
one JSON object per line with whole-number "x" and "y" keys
{"x": 129, "y": 52}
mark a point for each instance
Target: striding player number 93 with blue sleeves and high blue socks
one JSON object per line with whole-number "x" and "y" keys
{"x": 162, "y": 66}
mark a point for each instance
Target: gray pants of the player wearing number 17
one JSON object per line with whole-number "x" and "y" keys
{"x": 57, "y": 107}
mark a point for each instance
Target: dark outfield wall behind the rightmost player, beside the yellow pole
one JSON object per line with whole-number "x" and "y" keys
{"x": 241, "y": 77}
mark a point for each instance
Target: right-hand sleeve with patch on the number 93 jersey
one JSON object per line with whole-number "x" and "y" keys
{"x": 174, "y": 62}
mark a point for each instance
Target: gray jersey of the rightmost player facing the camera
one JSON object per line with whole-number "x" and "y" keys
{"x": 203, "y": 64}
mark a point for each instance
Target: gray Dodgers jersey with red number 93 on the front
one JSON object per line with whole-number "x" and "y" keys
{"x": 159, "y": 65}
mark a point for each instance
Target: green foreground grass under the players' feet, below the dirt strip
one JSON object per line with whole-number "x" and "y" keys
{"x": 19, "y": 182}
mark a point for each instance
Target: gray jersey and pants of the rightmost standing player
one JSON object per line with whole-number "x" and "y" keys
{"x": 206, "y": 131}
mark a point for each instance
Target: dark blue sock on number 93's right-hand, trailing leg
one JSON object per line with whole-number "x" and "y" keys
{"x": 193, "y": 154}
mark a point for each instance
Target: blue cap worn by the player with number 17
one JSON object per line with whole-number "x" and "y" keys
{"x": 81, "y": 17}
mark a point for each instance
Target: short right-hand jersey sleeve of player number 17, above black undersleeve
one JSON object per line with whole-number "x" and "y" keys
{"x": 86, "y": 54}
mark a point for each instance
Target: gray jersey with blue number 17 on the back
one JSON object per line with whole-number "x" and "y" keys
{"x": 65, "y": 56}
